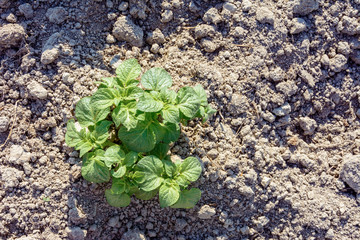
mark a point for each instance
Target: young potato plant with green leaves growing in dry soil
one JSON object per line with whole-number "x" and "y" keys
{"x": 123, "y": 133}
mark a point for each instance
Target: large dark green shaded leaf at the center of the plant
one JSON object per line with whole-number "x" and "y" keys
{"x": 143, "y": 137}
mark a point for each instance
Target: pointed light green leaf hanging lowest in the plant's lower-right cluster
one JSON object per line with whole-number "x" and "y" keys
{"x": 169, "y": 193}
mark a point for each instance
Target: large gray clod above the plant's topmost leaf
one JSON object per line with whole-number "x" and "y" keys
{"x": 126, "y": 30}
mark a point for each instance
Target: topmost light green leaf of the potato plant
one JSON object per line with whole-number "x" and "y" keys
{"x": 127, "y": 72}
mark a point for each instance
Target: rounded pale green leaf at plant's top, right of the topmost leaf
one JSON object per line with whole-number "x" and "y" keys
{"x": 156, "y": 79}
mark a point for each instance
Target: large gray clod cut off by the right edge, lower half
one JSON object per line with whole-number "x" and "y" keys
{"x": 350, "y": 172}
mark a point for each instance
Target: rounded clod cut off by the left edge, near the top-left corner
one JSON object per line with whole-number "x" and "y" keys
{"x": 11, "y": 35}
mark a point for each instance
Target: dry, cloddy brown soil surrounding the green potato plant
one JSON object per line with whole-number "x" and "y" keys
{"x": 281, "y": 156}
